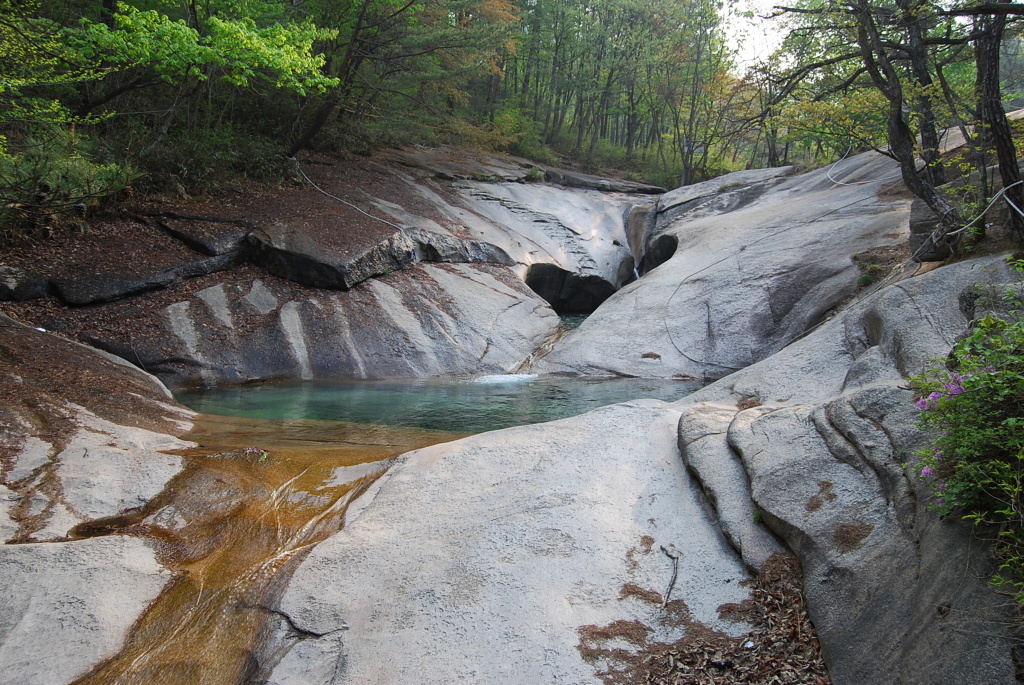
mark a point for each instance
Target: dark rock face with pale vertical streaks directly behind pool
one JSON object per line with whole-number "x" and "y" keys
{"x": 434, "y": 320}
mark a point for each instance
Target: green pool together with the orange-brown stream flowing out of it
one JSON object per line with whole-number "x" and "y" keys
{"x": 274, "y": 473}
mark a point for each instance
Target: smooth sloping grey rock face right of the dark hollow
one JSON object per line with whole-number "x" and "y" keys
{"x": 737, "y": 274}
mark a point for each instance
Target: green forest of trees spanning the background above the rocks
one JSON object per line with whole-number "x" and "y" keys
{"x": 101, "y": 99}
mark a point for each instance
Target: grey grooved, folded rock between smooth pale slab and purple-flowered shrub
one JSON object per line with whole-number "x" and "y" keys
{"x": 816, "y": 437}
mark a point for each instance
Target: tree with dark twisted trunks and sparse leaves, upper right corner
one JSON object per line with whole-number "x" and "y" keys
{"x": 906, "y": 51}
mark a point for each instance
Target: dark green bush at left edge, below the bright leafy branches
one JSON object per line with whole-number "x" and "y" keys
{"x": 49, "y": 182}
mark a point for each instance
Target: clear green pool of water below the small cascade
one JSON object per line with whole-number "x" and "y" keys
{"x": 466, "y": 406}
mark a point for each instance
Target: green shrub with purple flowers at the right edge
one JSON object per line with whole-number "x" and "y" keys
{"x": 975, "y": 464}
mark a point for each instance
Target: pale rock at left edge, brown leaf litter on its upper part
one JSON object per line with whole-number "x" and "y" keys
{"x": 79, "y": 439}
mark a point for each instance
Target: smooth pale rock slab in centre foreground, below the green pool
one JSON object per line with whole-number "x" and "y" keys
{"x": 501, "y": 558}
